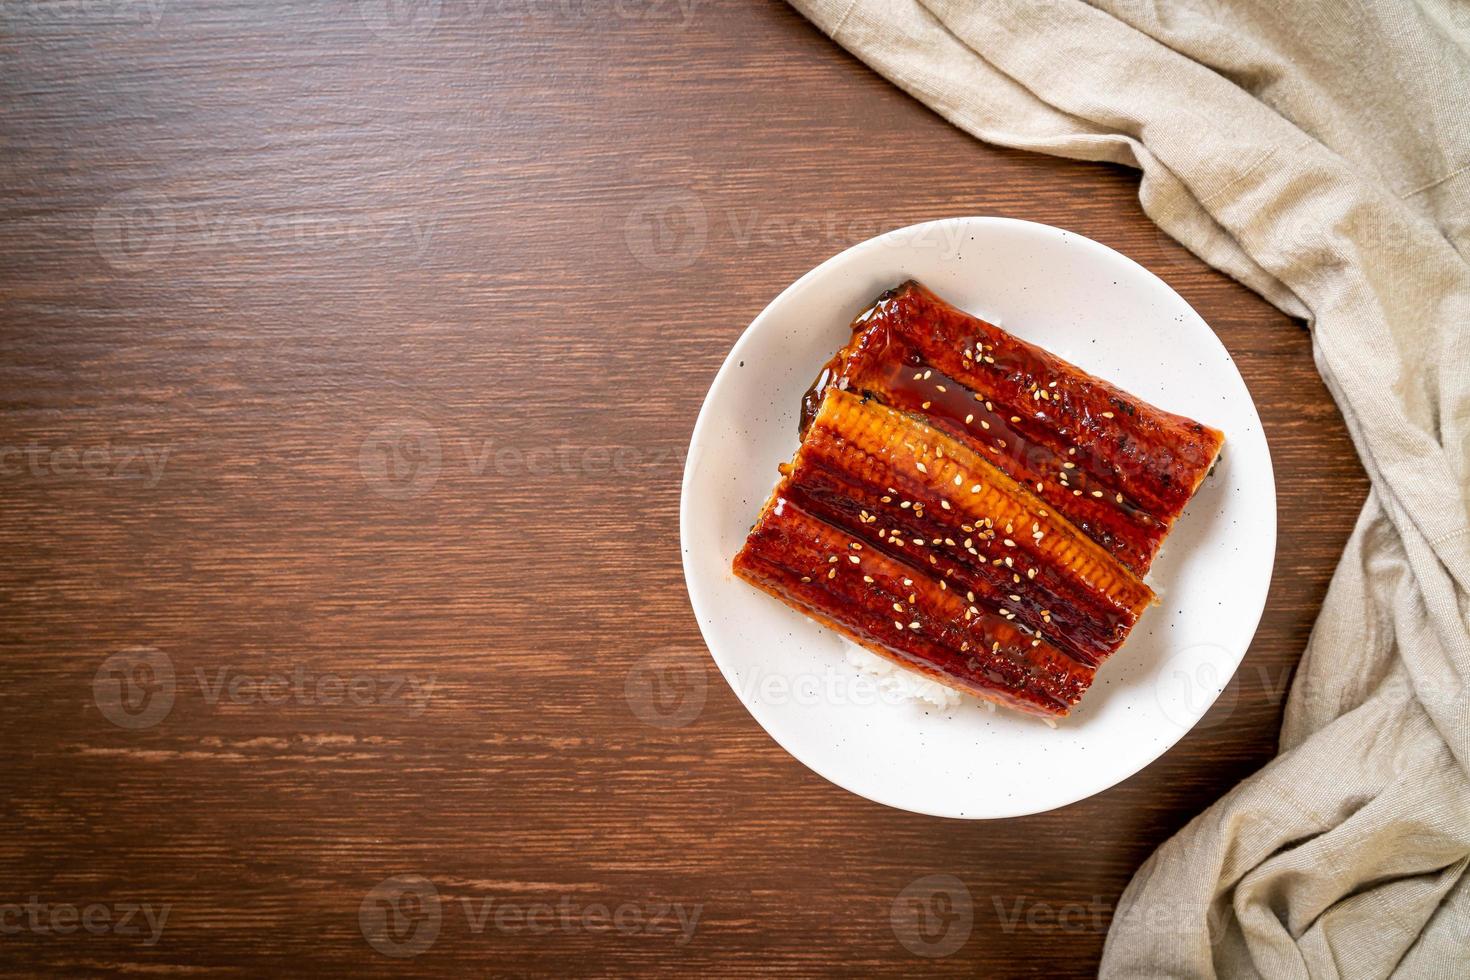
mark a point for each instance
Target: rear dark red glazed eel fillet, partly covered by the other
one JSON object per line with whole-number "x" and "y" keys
{"x": 1118, "y": 468}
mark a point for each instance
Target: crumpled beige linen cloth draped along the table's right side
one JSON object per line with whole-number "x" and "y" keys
{"x": 1319, "y": 152}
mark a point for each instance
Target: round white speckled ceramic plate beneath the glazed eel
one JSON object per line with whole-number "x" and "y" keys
{"x": 1100, "y": 311}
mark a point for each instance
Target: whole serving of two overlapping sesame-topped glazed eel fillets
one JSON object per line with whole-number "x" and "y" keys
{"x": 974, "y": 508}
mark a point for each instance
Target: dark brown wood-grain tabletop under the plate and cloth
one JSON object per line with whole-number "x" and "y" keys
{"x": 349, "y": 359}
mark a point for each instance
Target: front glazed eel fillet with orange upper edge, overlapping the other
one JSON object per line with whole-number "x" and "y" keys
{"x": 921, "y": 550}
